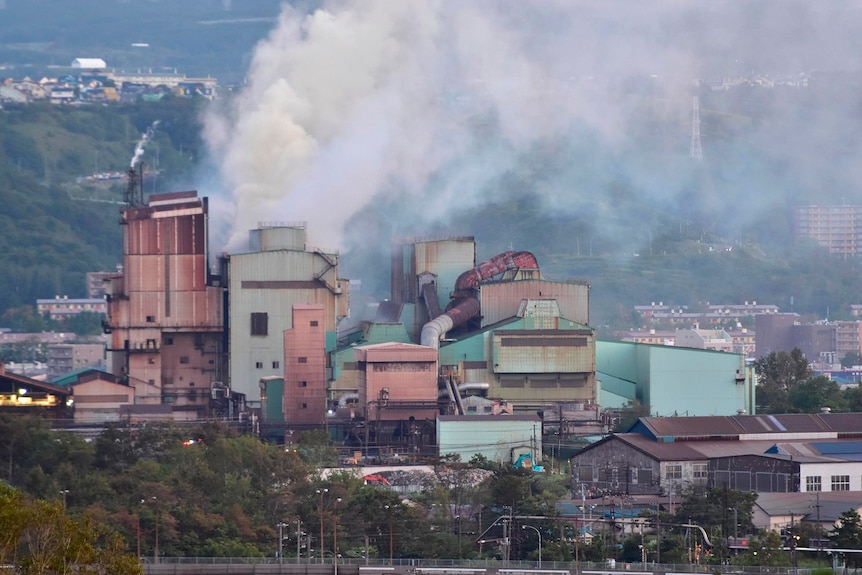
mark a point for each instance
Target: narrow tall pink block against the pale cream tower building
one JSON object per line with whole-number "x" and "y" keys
{"x": 305, "y": 366}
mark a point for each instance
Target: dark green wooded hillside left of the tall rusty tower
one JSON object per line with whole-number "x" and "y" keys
{"x": 57, "y": 224}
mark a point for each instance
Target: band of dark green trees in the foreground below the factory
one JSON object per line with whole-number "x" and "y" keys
{"x": 205, "y": 490}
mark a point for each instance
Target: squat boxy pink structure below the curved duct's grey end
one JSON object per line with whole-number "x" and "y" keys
{"x": 396, "y": 381}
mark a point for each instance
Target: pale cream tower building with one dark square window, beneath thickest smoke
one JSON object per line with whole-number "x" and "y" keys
{"x": 265, "y": 285}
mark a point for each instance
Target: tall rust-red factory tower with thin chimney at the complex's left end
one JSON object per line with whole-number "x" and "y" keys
{"x": 165, "y": 308}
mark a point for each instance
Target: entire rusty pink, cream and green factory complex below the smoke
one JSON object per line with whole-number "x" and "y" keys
{"x": 267, "y": 337}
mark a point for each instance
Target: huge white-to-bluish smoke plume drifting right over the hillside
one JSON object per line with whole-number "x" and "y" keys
{"x": 434, "y": 108}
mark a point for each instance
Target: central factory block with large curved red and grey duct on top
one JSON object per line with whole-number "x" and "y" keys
{"x": 496, "y": 331}
